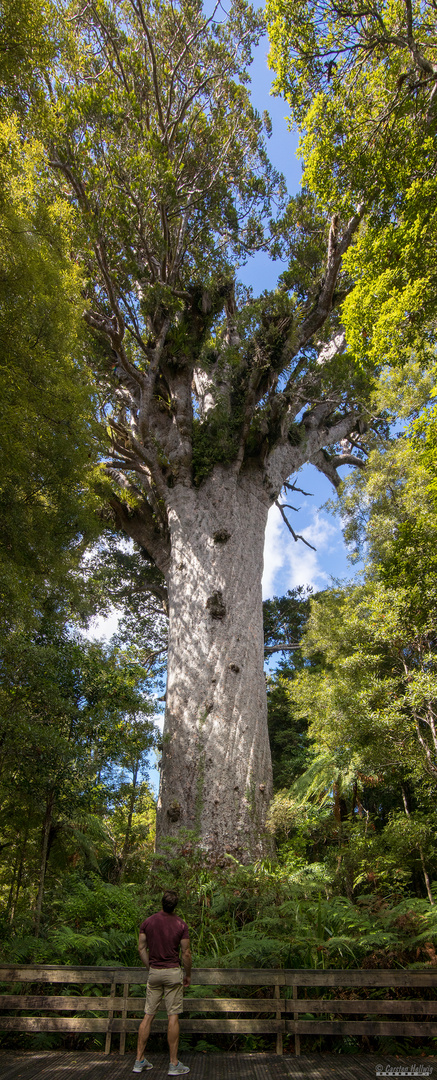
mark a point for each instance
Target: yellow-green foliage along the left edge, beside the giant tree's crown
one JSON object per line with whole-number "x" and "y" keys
{"x": 49, "y": 447}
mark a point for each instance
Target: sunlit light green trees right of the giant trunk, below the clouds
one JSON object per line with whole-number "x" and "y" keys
{"x": 367, "y": 688}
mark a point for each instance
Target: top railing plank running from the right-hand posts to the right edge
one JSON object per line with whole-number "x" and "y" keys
{"x": 353, "y": 977}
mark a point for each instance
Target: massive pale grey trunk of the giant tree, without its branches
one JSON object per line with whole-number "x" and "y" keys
{"x": 216, "y": 765}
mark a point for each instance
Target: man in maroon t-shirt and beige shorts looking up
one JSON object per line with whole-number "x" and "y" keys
{"x": 160, "y": 938}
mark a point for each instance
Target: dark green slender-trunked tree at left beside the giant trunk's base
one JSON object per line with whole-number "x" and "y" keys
{"x": 80, "y": 713}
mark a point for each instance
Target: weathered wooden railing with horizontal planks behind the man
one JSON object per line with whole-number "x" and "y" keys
{"x": 281, "y": 1002}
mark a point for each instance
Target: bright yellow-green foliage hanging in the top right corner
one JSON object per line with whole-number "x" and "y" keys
{"x": 362, "y": 92}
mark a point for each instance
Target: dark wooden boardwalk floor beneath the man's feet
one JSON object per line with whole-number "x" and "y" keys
{"x": 62, "y": 1065}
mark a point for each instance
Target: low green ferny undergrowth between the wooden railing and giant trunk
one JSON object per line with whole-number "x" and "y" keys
{"x": 276, "y": 913}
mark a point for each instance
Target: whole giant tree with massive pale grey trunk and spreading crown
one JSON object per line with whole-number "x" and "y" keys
{"x": 213, "y": 400}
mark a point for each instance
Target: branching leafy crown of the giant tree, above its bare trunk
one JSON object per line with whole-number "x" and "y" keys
{"x": 161, "y": 159}
